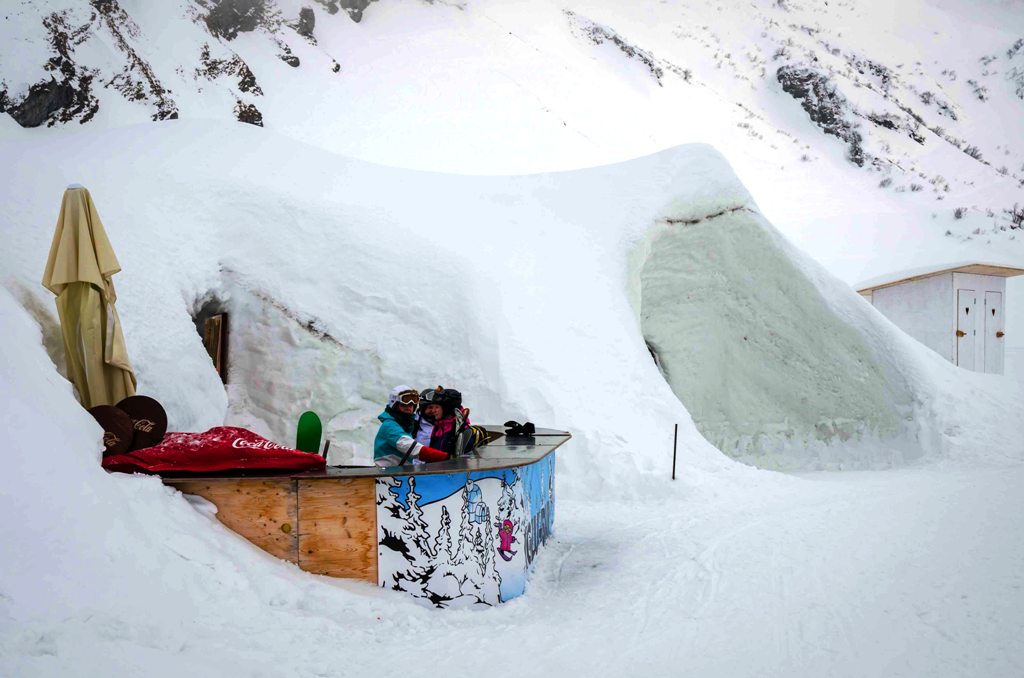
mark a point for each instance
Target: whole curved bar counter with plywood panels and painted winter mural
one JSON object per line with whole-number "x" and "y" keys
{"x": 461, "y": 533}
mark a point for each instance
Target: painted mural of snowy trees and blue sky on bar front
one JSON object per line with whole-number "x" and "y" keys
{"x": 463, "y": 540}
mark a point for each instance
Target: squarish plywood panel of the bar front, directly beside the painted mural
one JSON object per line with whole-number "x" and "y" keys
{"x": 338, "y": 528}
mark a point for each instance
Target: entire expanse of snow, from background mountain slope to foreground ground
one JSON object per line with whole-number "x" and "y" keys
{"x": 540, "y": 296}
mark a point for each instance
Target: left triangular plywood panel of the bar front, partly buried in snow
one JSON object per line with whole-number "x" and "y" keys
{"x": 264, "y": 512}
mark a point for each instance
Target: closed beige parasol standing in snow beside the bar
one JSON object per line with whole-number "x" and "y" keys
{"x": 79, "y": 272}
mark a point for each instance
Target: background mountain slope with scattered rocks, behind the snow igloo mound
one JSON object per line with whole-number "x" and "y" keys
{"x": 879, "y": 139}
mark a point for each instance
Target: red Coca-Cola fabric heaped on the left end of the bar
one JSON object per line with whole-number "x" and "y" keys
{"x": 221, "y": 449}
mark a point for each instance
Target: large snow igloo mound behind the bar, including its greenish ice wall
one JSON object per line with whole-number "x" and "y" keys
{"x": 344, "y": 278}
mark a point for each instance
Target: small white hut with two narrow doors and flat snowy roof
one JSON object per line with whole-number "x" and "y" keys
{"x": 957, "y": 311}
